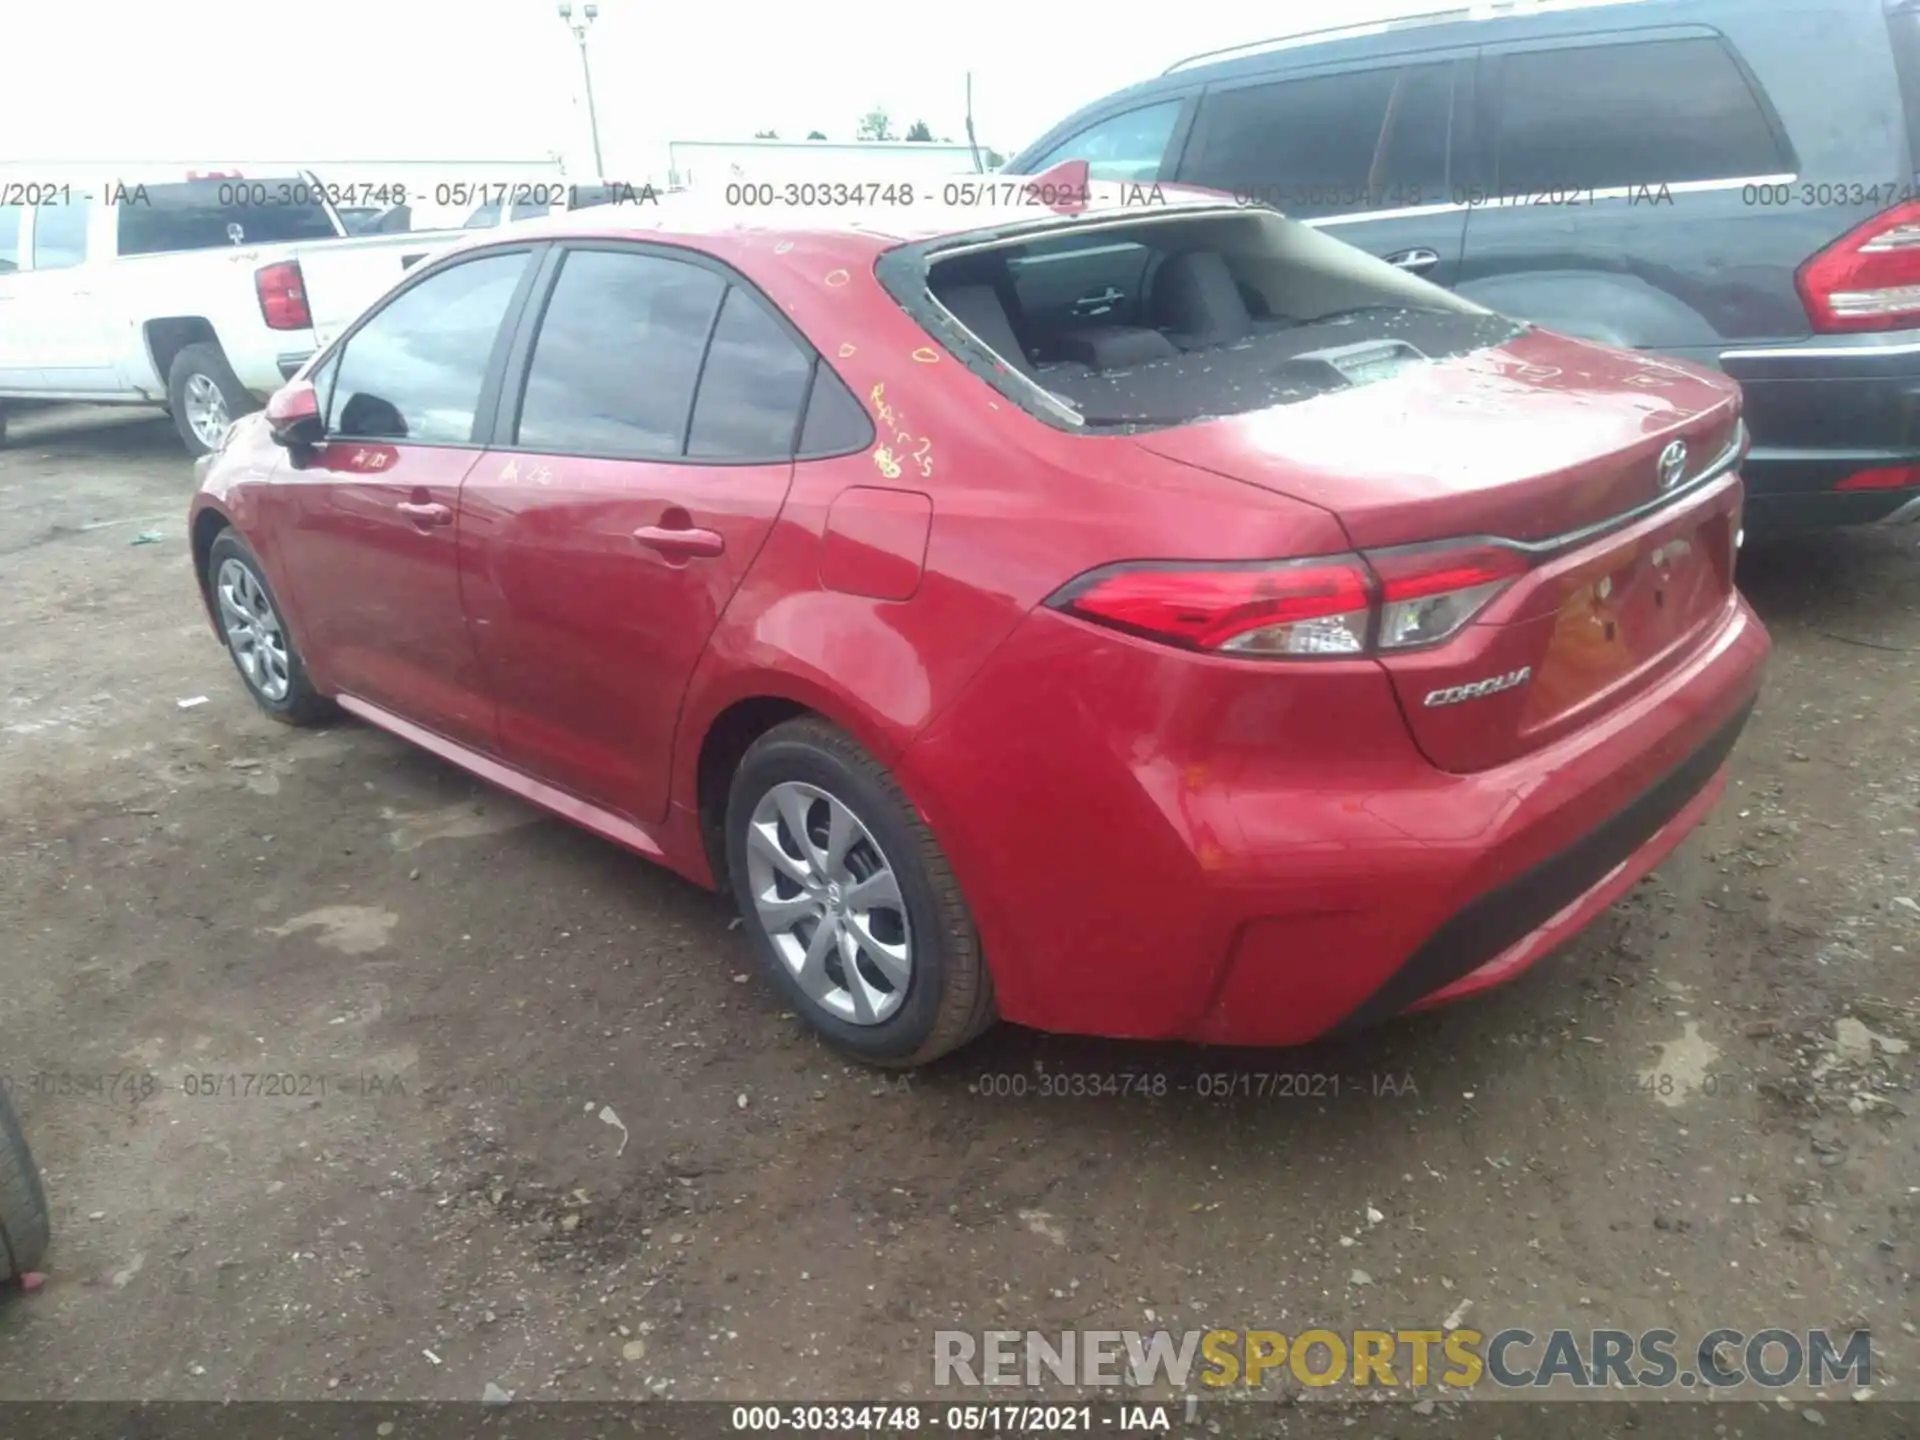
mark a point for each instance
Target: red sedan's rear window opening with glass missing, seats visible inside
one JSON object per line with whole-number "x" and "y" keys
{"x": 1180, "y": 320}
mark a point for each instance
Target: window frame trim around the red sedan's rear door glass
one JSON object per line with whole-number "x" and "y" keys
{"x": 519, "y": 358}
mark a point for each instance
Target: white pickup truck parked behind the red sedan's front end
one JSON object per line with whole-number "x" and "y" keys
{"x": 193, "y": 291}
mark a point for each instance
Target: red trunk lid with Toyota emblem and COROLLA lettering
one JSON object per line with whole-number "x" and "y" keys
{"x": 1533, "y": 443}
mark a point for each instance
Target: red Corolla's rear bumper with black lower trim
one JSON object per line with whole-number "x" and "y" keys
{"x": 1157, "y": 850}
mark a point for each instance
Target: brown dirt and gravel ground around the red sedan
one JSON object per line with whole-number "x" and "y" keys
{"x": 571, "y": 1149}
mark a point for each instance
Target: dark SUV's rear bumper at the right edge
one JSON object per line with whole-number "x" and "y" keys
{"x": 1821, "y": 412}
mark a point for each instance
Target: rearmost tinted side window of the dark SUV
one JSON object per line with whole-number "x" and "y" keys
{"x": 1658, "y": 112}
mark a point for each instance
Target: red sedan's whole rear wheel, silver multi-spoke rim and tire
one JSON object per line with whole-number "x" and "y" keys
{"x": 852, "y": 901}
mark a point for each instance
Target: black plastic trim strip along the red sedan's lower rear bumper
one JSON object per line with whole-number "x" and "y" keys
{"x": 1500, "y": 919}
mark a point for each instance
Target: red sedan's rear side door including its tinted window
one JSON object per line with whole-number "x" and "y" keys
{"x": 604, "y": 548}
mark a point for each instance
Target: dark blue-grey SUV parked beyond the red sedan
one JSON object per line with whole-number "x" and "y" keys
{"x": 1729, "y": 181}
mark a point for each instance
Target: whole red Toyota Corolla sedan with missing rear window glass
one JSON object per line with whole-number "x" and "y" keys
{"x": 1151, "y": 621}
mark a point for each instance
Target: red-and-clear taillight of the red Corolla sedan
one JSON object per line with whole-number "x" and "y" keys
{"x": 1330, "y": 606}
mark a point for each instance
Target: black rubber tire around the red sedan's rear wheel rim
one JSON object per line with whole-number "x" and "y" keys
{"x": 949, "y": 996}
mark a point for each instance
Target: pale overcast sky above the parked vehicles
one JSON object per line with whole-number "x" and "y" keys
{"x": 500, "y": 80}
